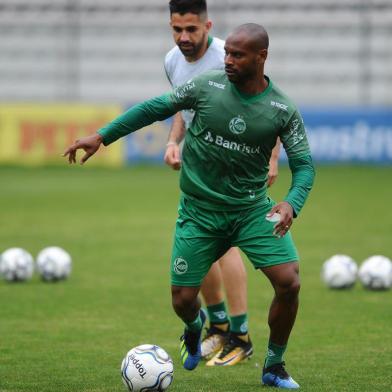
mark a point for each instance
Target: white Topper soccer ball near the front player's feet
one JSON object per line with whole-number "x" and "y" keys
{"x": 147, "y": 368}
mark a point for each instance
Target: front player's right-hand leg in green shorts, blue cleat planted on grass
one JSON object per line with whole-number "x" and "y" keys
{"x": 276, "y": 257}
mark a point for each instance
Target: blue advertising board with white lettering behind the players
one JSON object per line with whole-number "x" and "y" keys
{"x": 335, "y": 135}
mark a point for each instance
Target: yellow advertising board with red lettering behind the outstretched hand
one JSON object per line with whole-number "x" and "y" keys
{"x": 35, "y": 134}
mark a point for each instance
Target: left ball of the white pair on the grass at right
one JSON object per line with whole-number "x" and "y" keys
{"x": 339, "y": 272}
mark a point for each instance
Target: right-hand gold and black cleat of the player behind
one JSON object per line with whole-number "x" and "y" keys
{"x": 234, "y": 350}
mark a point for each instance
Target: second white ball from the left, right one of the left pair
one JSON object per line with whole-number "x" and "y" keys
{"x": 54, "y": 264}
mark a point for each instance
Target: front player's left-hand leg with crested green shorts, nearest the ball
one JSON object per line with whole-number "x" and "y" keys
{"x": 195, "y": 248}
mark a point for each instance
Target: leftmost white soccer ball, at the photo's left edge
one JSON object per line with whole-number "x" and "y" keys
{"x": 16, "y": 265}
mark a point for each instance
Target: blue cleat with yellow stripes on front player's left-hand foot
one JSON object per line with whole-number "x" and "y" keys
{"x": 190, "y": 348}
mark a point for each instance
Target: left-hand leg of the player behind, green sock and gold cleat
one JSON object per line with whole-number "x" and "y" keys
{"x": 217, "y": 332}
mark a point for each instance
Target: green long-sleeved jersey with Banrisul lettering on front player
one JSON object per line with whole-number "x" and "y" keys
{"x": 228, "y": 145}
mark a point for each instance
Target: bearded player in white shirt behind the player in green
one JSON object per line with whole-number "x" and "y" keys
{"x": 227, "y": 340}
